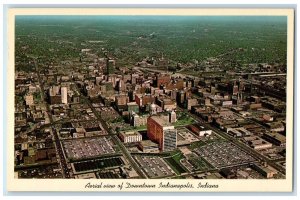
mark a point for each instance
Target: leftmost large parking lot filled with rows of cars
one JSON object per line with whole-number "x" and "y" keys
{"x": 85, "y": 148}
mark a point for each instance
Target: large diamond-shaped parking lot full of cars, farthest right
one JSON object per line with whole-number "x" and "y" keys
{"x": 223, "y": 154}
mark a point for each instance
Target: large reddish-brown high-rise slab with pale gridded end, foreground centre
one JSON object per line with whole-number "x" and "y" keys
{"x": 161, "y": 131}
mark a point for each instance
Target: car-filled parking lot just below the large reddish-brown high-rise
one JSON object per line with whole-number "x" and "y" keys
{"x": 154, "y": 166}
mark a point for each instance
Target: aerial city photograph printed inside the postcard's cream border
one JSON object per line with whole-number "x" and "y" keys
{"x": 150, "y": 97}
